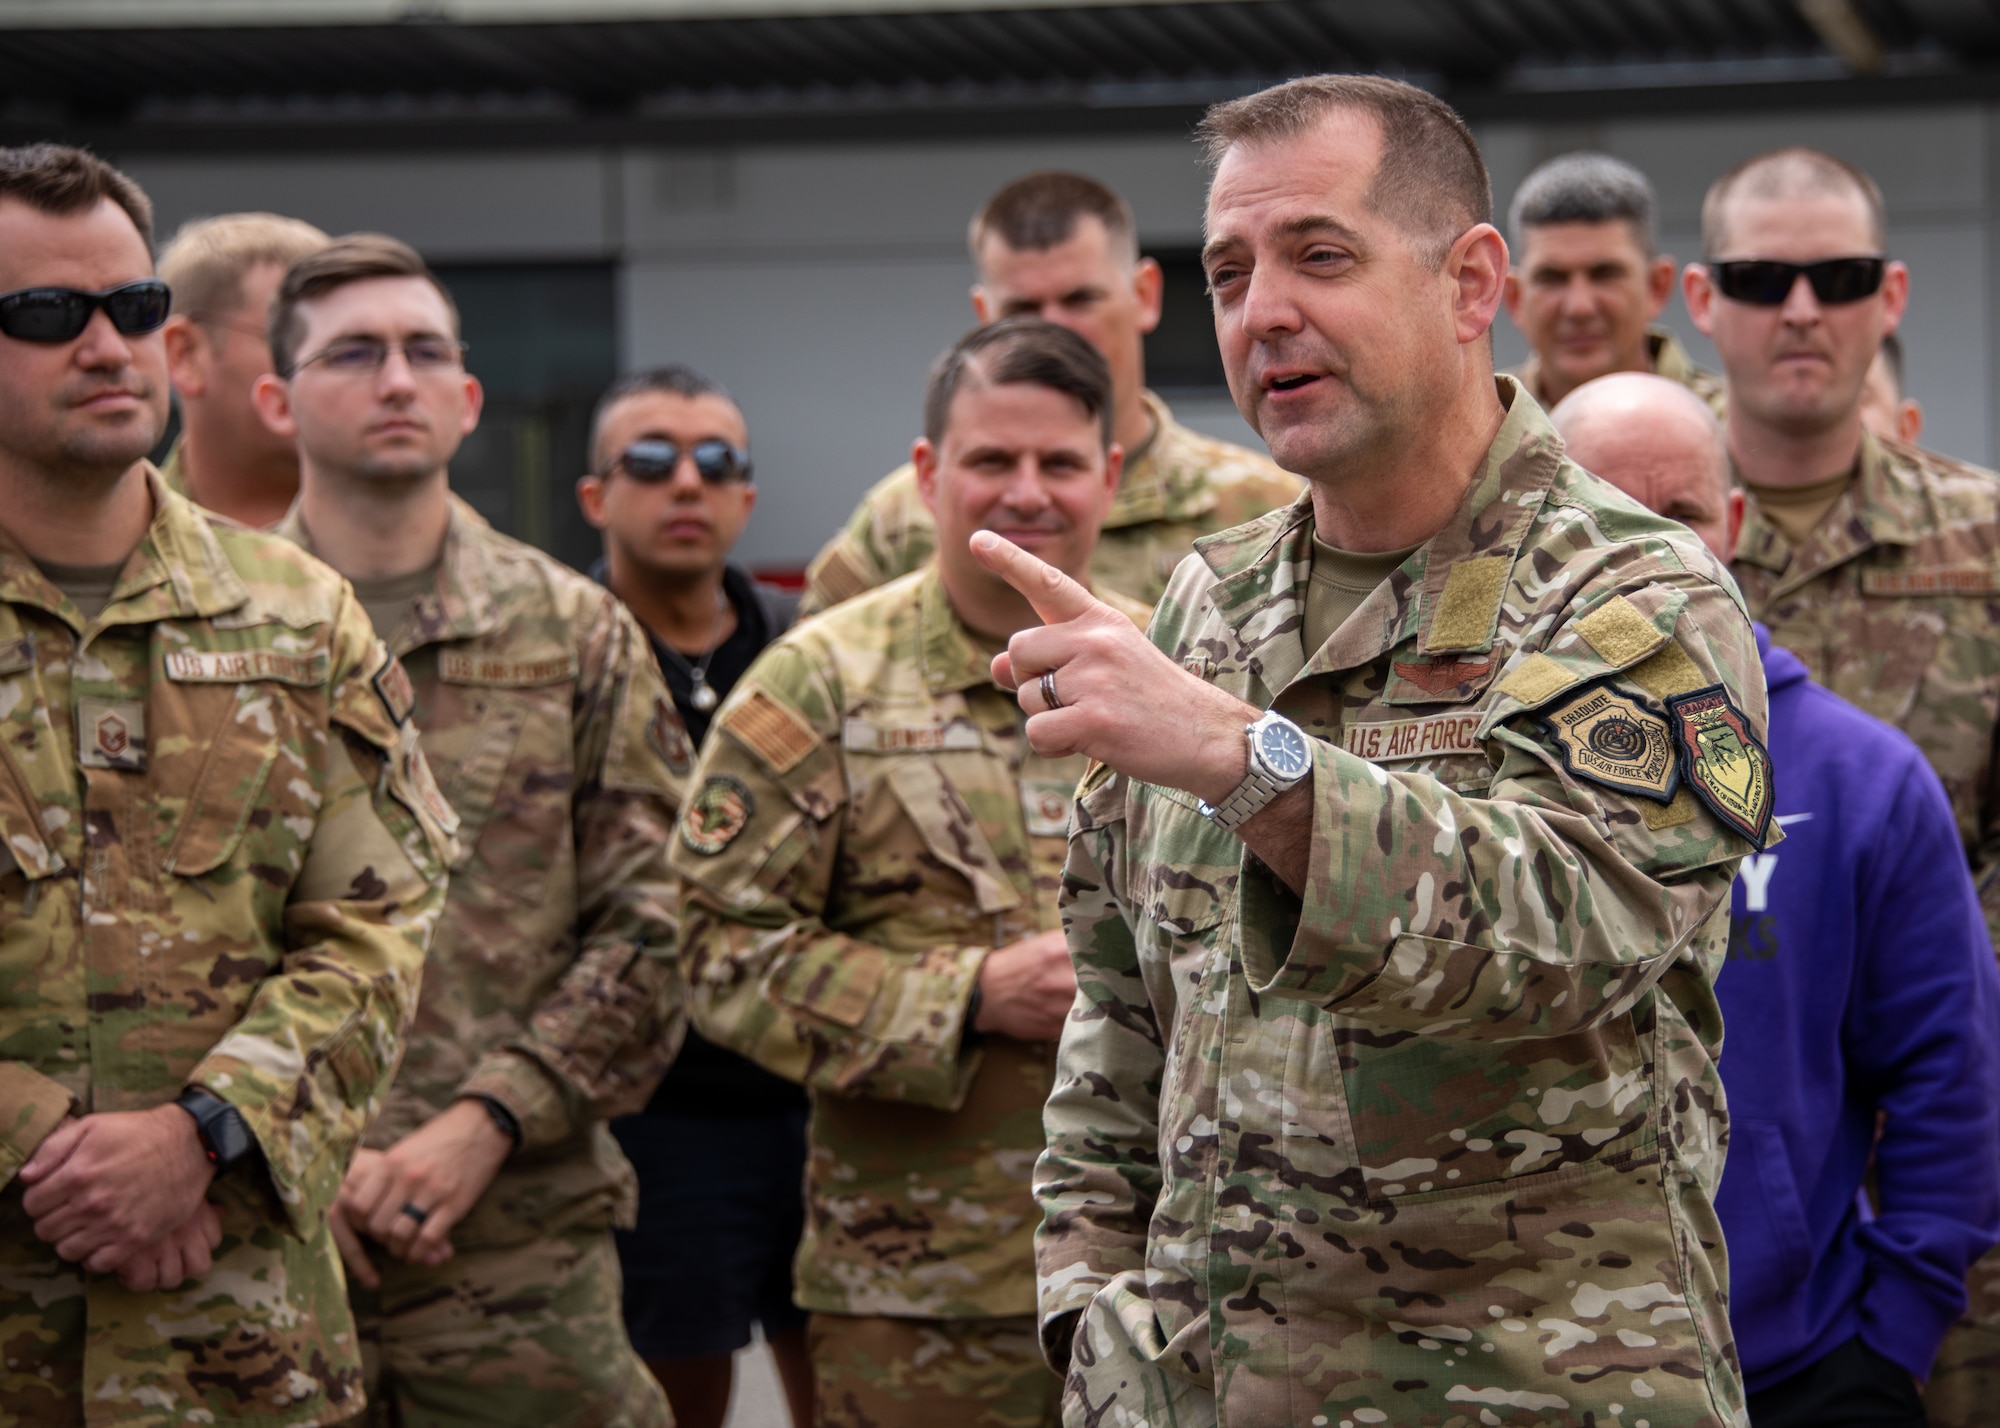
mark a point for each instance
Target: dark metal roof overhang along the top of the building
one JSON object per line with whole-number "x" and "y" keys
{"x": 257, "y": 75}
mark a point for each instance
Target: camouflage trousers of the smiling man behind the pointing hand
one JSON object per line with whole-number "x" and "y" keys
{"x": 929, "y": 1373}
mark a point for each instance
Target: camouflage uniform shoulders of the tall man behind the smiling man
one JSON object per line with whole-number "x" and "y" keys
{"x": 1183, "y": 485}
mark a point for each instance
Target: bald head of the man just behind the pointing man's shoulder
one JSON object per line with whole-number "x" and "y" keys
{"x": 1659, "y": 445}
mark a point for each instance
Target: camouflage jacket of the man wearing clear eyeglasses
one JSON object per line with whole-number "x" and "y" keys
{"x": 553, "y": 983}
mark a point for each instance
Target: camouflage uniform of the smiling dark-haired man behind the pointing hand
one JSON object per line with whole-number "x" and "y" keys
{"x": 865, "y": 827}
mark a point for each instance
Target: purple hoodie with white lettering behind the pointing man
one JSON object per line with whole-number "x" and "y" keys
{"x": 1859, "y": 979}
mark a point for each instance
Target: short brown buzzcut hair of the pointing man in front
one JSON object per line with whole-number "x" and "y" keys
{"x": 1431, "y": 179}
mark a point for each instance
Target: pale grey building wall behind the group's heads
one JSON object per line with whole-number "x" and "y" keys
{"x": 819, "y": 281}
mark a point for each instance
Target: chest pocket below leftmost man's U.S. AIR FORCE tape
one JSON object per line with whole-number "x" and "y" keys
{"x": 205, "y": 825}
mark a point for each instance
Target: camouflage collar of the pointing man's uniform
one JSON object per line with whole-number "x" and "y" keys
{"x": 1447, "y": 595}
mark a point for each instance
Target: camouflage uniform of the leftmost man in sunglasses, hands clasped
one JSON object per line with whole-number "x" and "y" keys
{"x": 223, "y": 859}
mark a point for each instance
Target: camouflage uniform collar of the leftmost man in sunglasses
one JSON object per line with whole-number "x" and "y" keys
{"x": 177, "y": 573}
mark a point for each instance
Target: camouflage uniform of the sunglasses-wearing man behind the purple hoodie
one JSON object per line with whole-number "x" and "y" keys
{"x": 1893, "y": 605}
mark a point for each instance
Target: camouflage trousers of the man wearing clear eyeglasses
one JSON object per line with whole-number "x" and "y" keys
{"x": 523, "y": 1337}
